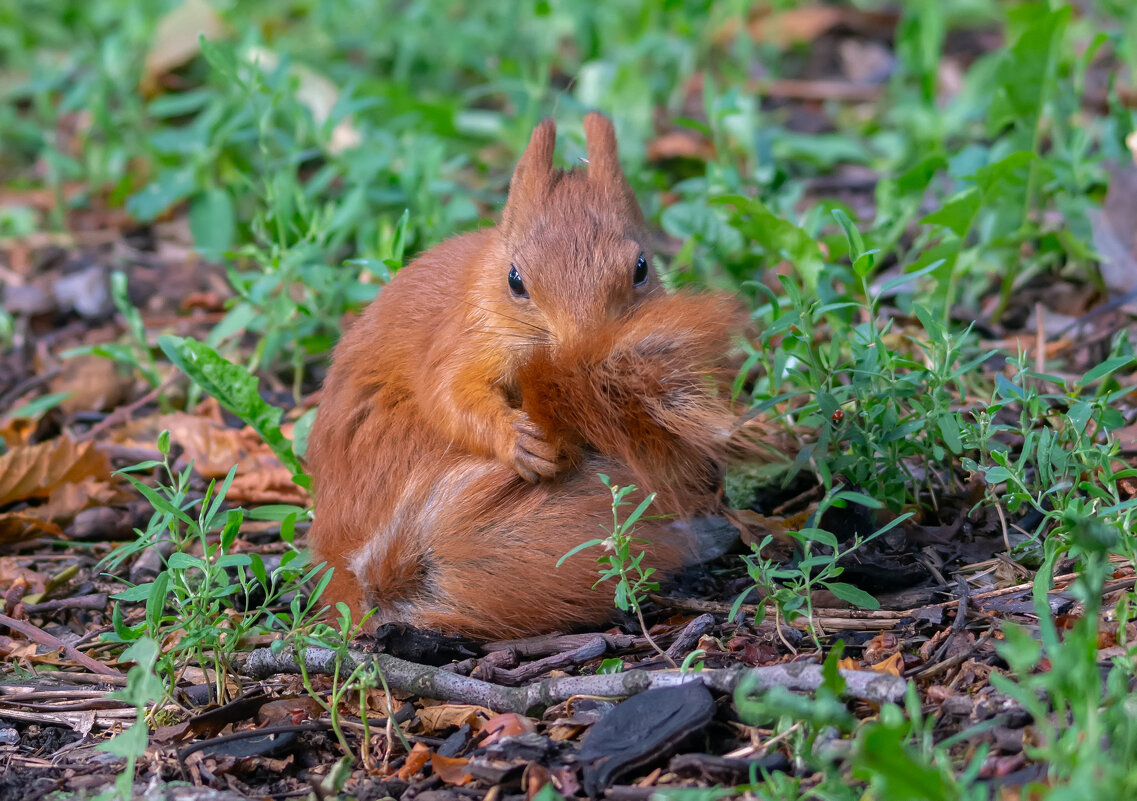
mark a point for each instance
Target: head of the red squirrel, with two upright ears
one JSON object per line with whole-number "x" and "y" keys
{"x": 574, "y": 245}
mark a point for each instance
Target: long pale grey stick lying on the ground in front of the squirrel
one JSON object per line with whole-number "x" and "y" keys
{"x": 435, "y": 683}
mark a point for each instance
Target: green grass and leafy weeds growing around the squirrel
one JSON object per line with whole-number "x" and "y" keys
{"x": 865, "y": 353}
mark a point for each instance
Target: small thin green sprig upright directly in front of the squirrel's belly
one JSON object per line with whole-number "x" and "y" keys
{"x": 634, "y": 580}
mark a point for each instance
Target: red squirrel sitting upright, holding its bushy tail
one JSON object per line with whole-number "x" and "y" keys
{"x": 470, "y": 410}
